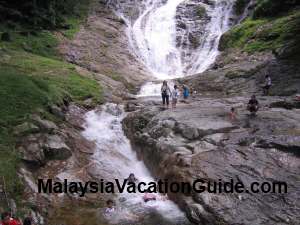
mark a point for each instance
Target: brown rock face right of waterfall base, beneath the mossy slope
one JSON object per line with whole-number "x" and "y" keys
{"x": 239, "y": 73}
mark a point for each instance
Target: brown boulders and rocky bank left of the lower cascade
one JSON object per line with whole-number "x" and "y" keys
{"x": 54, "y": 151}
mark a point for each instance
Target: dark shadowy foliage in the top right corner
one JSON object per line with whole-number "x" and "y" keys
{"x": 270, "y": 8}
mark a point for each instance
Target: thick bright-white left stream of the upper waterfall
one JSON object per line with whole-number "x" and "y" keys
{"x": 154, "y": 34}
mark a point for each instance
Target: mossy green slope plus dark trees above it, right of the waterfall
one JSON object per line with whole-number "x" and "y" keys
{"x": 272, "y": 27}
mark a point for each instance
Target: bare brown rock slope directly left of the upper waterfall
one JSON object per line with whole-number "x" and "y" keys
{"x": 101, "y": 47}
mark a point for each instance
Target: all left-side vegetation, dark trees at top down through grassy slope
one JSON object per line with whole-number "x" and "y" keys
{"x": 33, "y": 75}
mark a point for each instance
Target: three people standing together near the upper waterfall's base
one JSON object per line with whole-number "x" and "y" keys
{"x": 167, "y": 93}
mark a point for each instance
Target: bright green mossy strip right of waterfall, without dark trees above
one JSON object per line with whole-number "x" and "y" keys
{"x": 263, "y": 34}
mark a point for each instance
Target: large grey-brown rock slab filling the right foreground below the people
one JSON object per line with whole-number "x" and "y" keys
{"x": 198, "y": 140}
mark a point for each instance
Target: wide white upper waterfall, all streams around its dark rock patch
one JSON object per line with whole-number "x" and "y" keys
{"x": 153, "y": 39}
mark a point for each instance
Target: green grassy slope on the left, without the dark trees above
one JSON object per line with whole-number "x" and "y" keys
{"x": 30, "y": 83}
